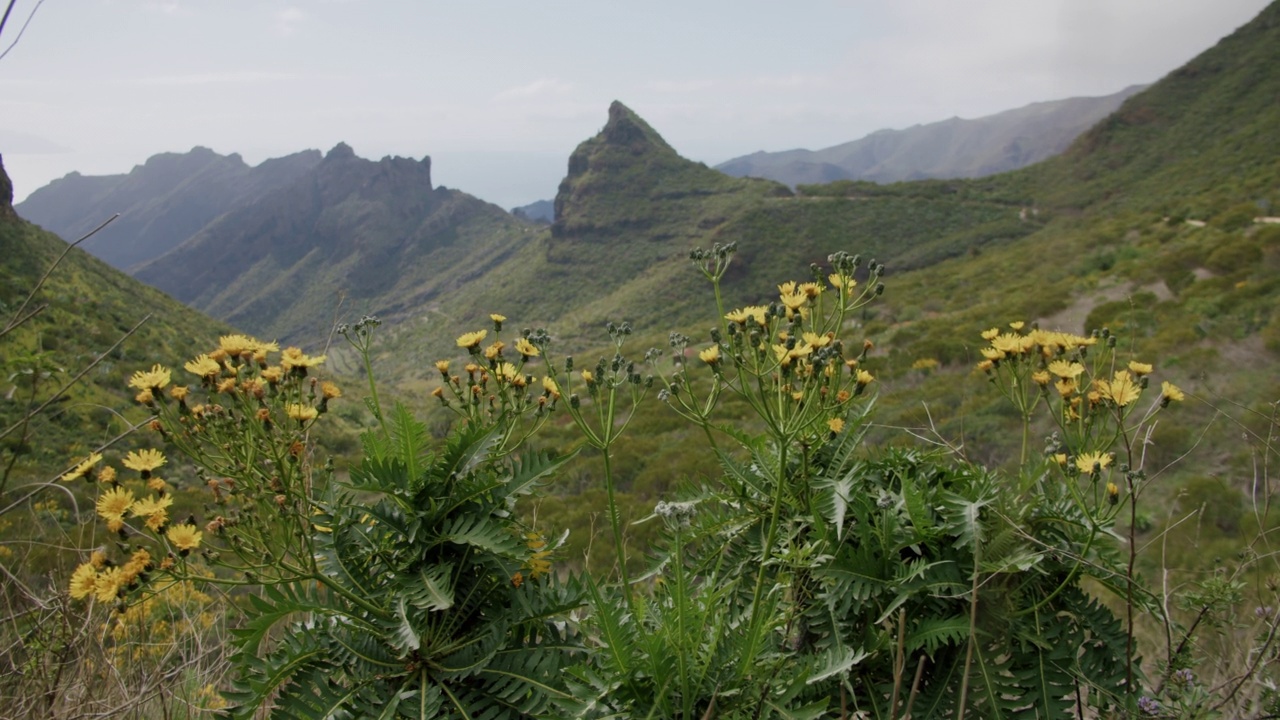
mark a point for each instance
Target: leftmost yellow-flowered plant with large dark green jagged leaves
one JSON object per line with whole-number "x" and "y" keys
{"x": 409, "y": 591}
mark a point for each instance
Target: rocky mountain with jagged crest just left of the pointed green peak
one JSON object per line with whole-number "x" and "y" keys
{"x": 350, "y": 234}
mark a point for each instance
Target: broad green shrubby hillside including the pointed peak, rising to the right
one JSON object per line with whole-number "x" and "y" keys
{"x": 1082, "y": 241}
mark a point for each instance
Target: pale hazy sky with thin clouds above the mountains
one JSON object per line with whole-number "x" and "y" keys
{"x": 500, "y": 93}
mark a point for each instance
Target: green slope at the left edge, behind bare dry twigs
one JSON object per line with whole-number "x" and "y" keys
{"x": 84, "y": 309}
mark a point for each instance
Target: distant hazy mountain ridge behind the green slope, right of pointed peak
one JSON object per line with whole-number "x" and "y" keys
{"x": 949, "y": 149}
